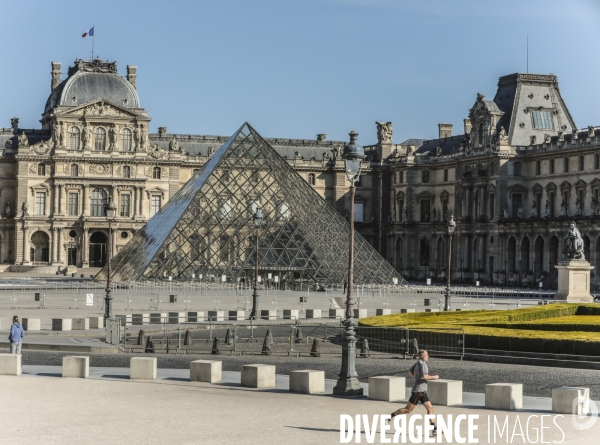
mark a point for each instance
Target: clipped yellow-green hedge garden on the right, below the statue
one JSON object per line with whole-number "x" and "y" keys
{"x": 556, "y": 328}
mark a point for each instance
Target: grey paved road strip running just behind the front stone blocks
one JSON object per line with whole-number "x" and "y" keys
{"x": 537, "y": 381}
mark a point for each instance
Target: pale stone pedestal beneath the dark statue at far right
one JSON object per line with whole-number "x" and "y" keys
{"x": 574, "y": 282}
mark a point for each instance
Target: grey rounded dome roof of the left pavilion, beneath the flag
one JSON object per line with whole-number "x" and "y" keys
{"x": 92, "y": 80}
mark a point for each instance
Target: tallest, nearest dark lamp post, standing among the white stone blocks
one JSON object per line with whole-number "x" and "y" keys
{"x": 348, "y": 384}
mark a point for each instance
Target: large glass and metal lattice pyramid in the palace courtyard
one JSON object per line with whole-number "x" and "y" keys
{"x": 206, "y": 227}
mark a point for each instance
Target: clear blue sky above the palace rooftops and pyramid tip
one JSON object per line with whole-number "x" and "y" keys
{"x": 295, "y": 68}
